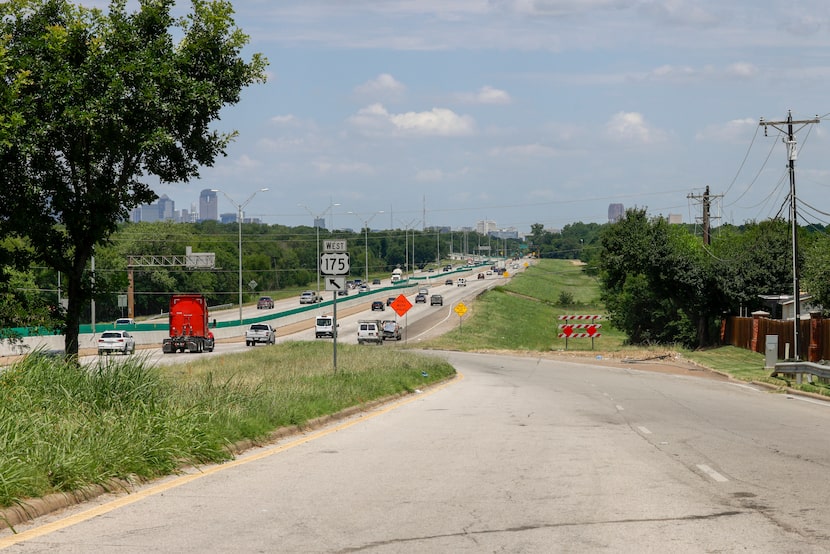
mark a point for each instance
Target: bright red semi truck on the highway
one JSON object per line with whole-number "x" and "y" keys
{"x": 189, "y": 328}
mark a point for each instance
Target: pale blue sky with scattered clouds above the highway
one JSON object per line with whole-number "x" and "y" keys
{"x": 413, "y": 113}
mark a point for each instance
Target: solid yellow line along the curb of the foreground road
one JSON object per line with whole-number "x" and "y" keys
{"x": 184, "y": 479}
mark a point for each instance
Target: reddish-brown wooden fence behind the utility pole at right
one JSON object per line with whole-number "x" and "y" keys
{"x": 751, "y": 332}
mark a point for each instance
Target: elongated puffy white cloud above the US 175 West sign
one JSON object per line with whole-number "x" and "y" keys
{"x": 438, "y": 121}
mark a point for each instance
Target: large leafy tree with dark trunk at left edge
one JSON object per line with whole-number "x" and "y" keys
{"x": 93, "y": 103}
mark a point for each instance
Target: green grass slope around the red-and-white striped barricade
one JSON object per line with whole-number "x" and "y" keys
{"x": 522, "y": 315}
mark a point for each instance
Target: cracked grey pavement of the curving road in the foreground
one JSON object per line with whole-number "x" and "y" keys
{"x": 519, "y": 454}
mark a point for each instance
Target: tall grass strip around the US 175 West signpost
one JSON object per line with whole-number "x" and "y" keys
{"x": 63, "y": 427}
